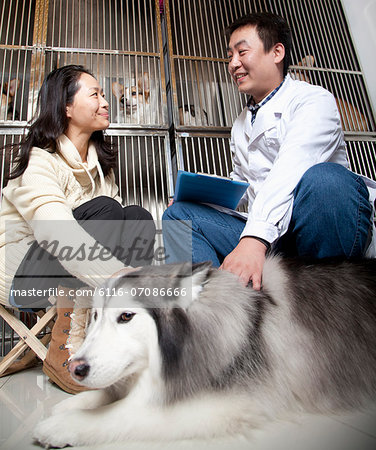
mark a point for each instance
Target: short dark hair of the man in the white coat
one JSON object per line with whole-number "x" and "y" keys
{"x": 271, "y": 28}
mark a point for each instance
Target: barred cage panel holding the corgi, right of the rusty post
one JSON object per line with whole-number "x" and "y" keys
{"x": 120, "y": 42}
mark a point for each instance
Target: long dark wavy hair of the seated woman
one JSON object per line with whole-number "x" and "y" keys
{"x": 57, "y": 92}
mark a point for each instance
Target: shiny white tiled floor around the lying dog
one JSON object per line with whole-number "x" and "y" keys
{"x": 27, "y": 396}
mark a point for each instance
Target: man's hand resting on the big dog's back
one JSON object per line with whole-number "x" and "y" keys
{"x": 247, "y": 261}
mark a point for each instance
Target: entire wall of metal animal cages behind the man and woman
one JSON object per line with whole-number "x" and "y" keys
{"x": 163, "y": 67}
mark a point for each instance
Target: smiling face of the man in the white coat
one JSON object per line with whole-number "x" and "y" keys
{"x": 254, "y": 71}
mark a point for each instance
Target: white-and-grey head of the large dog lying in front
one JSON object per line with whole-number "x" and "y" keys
{"x": 122, "y": 339}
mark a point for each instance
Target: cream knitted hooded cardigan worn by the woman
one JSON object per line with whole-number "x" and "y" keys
{"x": 38, "y": 206}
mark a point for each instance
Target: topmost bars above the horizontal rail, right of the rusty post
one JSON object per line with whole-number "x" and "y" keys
{"x": 103, "y": 25}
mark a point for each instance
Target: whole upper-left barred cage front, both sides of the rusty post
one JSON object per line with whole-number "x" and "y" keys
{"x": 118, "y": 40}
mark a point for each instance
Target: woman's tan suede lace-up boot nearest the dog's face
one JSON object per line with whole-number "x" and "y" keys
{"x": 55, "y": 366}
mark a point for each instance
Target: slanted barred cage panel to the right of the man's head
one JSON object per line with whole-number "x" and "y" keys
{"x": 322, "y": 42}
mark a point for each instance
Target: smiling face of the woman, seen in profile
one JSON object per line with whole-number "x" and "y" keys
{"x": 89, "y": 110}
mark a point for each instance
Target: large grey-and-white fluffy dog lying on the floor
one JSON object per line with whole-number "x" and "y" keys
{"x": 177, "y": 352}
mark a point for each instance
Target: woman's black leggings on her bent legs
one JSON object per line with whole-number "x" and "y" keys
{"x": 127, "y": 232}
